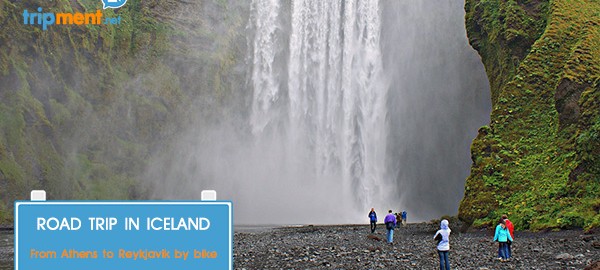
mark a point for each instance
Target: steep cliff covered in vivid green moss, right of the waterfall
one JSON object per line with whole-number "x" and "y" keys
{"x": 539, "y": 159}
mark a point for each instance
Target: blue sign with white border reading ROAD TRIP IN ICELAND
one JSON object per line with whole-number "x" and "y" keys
{"x": 123, "y": 235}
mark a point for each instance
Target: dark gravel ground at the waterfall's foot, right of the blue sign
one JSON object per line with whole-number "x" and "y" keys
{"x": 350, "y": 247}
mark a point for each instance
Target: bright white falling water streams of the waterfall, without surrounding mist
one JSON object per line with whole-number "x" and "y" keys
{"x": 325, "y": 93}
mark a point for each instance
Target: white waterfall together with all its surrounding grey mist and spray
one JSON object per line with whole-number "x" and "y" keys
{"x": 347, "y": 106}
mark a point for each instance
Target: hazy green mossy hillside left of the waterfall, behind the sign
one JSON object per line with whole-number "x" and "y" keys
{"x": 83, "y": 107}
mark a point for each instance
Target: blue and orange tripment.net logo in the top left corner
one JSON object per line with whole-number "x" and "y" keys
{"x": 46, "y": 19}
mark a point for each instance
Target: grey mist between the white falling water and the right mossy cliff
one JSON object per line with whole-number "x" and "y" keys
{"x": 439, "y": 97}
